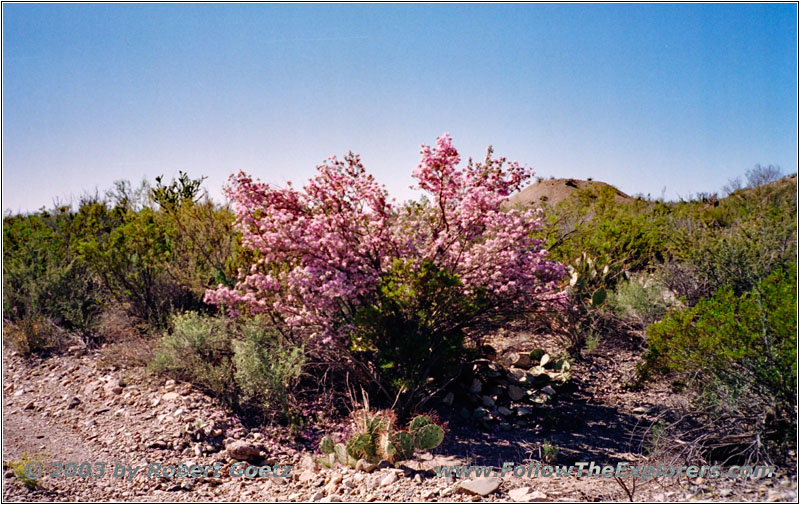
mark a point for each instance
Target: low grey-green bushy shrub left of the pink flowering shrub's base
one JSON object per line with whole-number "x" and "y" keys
{"x": 243, "y": 362}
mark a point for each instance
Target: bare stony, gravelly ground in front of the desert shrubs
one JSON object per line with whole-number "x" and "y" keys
{"x": 74, "y": 408}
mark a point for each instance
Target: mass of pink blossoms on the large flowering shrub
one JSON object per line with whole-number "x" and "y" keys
{"x": 319, "y": 253}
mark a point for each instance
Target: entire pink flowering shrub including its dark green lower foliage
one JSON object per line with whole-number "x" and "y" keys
{"x": 393, "y": 290}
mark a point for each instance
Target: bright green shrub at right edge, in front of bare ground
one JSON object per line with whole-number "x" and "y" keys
{"x": 738, "y": 354}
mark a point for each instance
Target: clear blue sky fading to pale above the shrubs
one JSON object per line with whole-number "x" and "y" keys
{"x": 646, "y": 96}
